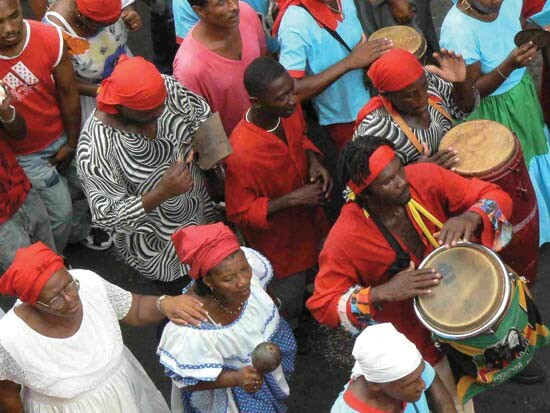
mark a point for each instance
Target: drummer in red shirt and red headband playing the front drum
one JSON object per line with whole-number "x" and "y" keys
{"x": 367, "y": 265}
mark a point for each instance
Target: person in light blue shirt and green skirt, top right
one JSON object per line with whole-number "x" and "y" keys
{"x": 483, "y": 31}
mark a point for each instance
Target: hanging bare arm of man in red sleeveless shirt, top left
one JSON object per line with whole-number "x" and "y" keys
{"x": 68, "y": 98}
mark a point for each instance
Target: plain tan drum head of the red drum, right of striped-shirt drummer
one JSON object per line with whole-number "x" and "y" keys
{"x": 482, "y": 145}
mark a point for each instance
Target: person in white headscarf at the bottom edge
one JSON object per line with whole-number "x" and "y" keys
{"x": 390, "y": 375}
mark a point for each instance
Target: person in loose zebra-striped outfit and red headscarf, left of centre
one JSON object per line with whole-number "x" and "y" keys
{"x": 134, "y": 162}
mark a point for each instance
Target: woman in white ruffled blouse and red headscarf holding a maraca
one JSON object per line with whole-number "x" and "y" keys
{"x": 210, "y": 365}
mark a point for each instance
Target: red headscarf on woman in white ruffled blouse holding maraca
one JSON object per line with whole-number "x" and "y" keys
{"x": 205, "y": 246}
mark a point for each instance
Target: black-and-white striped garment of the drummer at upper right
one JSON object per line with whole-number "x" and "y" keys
{"x": 380, "y": 123}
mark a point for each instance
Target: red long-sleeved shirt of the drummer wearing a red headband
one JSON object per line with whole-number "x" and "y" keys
{"x": 356, "y": 252}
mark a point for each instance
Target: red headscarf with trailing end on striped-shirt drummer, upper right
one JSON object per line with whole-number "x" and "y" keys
{"x": 391, "y": 72}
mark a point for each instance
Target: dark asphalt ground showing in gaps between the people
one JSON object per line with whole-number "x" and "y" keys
{"x": 321, "y": 374}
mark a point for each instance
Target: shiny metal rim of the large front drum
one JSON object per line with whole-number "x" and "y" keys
{"x": 488, "y": 324}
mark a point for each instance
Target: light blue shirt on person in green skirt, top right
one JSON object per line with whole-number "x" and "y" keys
{"x": 486, "y": 42}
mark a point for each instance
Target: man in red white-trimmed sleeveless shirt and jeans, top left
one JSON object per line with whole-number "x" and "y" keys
{"x": 39, "y": 76}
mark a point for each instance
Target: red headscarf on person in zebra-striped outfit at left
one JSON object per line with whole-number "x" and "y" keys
{"x": 135, "y": 83}
